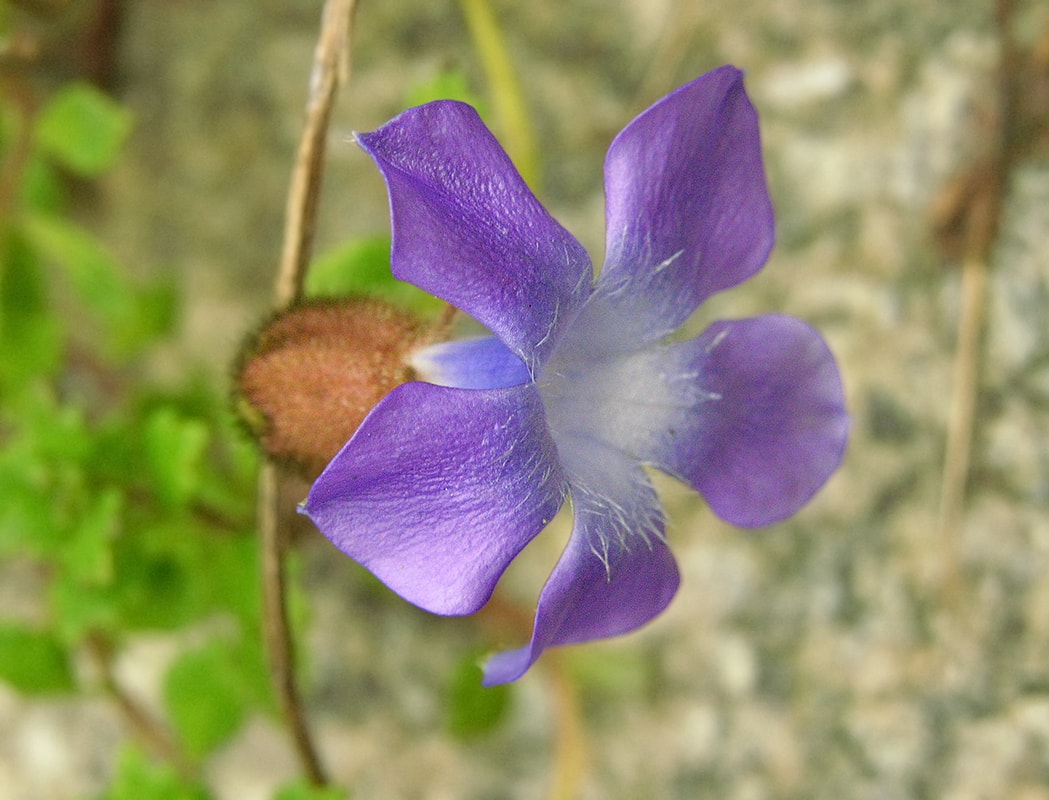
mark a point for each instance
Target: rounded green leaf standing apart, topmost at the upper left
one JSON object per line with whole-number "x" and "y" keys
{"x": 83, "y": 129}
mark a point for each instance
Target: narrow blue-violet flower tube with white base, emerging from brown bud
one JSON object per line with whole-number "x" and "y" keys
{"x": 482, "y": 363}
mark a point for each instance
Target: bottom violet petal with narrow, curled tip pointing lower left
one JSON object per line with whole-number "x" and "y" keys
{"x": 615, "y": 575}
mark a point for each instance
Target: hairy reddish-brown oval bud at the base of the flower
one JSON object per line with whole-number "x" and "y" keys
{"x": 308, "y": 380}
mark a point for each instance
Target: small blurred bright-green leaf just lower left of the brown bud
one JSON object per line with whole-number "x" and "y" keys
{"x": 175, "y": 449}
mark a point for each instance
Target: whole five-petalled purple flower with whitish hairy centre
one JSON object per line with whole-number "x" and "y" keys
{"x": 580, "y": 388}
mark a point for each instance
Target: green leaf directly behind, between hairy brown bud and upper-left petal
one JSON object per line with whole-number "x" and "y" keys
{"x": 362, "y": 267}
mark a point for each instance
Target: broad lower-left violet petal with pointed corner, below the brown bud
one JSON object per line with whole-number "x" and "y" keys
{"x": 440, "y": 489}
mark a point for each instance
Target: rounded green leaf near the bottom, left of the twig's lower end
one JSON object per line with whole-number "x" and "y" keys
{"x": 205, "y": 696}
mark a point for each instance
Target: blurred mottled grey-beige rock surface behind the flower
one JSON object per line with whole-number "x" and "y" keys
{"x": 824, "y": 658}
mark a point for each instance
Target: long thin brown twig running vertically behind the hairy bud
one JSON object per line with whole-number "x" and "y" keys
{"x": 331, "y": 70}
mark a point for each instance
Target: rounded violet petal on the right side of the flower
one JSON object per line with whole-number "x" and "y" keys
{"x": 770, "y": 425}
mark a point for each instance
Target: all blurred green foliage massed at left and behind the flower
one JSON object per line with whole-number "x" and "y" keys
{"x": 127, "y": 501}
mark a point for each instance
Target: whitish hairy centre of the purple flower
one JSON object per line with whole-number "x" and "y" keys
{"x": 613, "y": 406}
